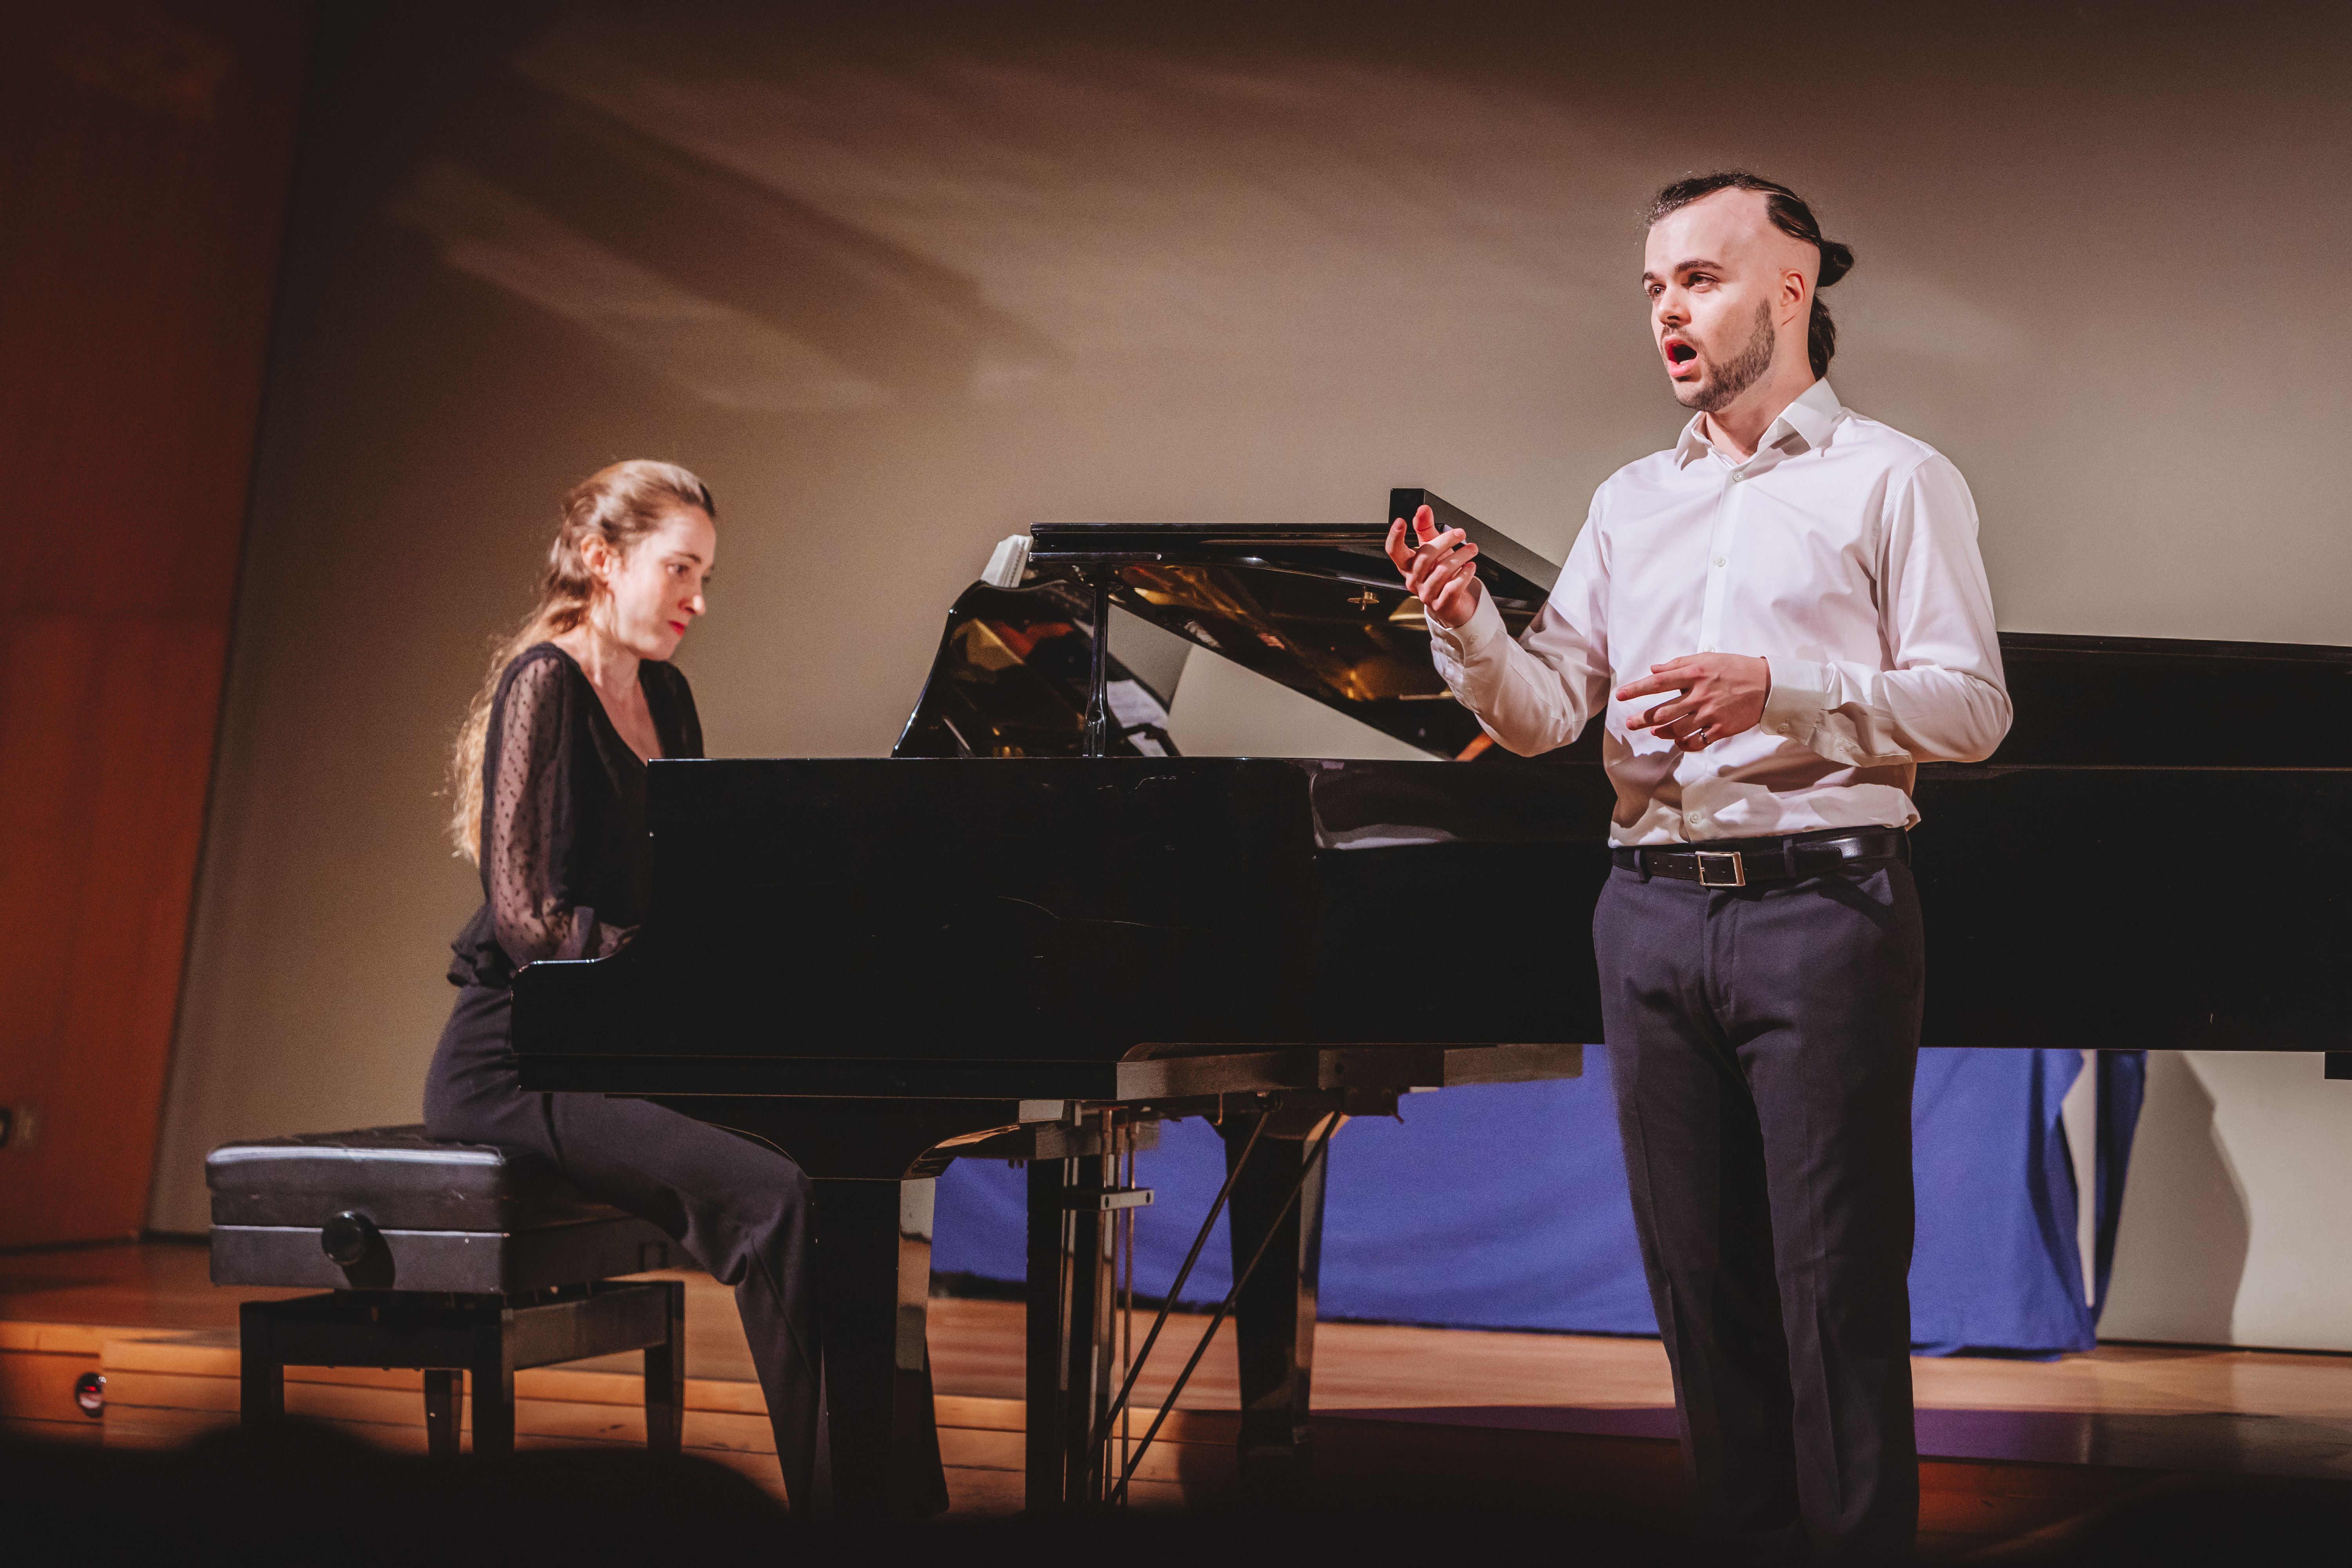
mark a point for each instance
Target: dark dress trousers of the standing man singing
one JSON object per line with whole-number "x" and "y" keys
{"x": 1763, "y": 1045}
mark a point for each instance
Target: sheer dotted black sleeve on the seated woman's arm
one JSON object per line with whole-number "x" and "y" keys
{"x": 530, "y": 829}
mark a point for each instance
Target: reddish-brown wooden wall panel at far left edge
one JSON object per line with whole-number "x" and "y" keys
{"x": 149, "y": 152}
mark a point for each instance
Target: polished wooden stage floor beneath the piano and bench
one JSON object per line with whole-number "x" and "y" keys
{"x": 1530, "y": 1419}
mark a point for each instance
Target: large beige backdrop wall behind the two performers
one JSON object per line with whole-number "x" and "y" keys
{"x": 902, "y": 286}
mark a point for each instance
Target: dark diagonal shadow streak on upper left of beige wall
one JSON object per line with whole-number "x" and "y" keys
{"x": 728, "y": 288}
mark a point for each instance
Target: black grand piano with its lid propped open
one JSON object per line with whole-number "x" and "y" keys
{"x": 1036, "y": 932}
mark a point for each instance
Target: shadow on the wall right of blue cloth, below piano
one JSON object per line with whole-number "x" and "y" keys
{"x": 2181, "y": 1247}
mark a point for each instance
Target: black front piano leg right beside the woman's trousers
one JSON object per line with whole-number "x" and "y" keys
{"x": 881, "y": 1449}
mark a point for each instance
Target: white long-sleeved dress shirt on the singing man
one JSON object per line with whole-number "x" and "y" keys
{"x": 1843, "y": 551}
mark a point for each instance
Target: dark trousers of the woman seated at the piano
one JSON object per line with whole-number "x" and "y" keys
{"x": 737, "y": 1207}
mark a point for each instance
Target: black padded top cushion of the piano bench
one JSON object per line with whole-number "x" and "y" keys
{"x": 396, "y": 1177}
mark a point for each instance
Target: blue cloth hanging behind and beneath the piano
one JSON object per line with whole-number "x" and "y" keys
{"x": 1504, "y": 1207}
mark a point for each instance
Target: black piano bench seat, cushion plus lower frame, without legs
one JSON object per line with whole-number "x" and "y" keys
{"x": 448, "y": 1217}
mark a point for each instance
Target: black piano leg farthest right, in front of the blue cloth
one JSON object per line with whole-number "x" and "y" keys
{"x": 1276, "y": 1315}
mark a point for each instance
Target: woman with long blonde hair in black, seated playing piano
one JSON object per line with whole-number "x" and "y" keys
{"x": 549, "y": 782}
